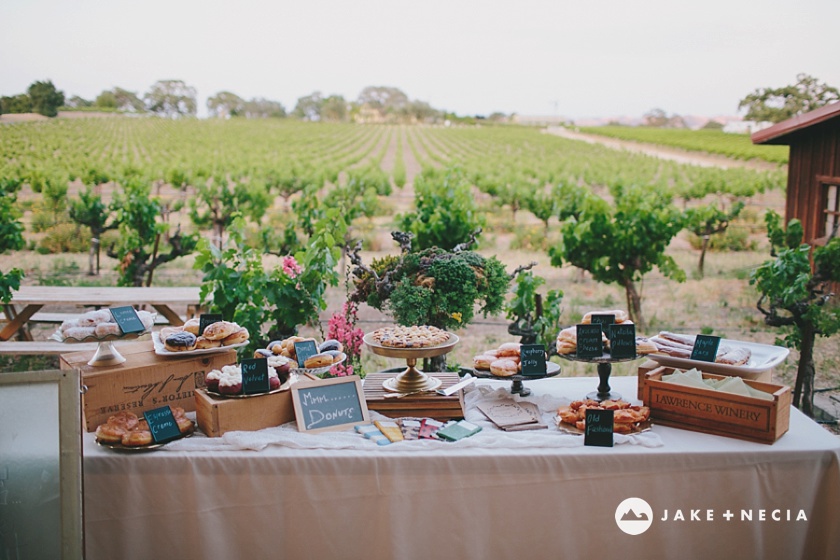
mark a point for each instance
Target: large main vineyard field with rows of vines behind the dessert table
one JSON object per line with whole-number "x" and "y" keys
{"x": 282, "y": 186}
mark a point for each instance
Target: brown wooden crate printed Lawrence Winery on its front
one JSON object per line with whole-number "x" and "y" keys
{"x": 718, "y": 412}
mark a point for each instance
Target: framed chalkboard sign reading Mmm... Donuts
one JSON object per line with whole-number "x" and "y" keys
{"x": 329, "y": 404}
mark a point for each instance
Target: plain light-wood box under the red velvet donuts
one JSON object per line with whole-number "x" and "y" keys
{"x": 216, "y": 415}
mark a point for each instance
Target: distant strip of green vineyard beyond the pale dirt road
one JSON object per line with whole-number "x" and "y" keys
{"x": 737, "y": 146}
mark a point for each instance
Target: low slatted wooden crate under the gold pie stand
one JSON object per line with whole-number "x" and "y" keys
{"x": 427, "y": 405}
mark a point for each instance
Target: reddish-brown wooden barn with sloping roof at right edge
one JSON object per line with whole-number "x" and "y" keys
{"x": 813, "y": 189}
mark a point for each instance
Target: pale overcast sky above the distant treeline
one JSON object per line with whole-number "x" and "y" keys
{"x": 581, "y": 58}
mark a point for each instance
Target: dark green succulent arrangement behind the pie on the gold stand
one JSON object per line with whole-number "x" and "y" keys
{"x": 434, "y": 287}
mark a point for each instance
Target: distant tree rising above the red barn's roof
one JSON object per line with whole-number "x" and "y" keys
{"x": 779, "y": 104}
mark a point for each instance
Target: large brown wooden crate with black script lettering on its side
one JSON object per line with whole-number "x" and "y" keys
{"x": 143, "y": 382}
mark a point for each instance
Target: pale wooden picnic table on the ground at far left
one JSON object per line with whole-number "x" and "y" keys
{"x": 29, "y": 300}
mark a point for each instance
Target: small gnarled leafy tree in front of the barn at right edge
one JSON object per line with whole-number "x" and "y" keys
{"x": 794, "y": 296}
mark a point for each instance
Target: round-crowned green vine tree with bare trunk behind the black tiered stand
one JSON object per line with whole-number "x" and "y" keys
{"x": 622, "y": 243}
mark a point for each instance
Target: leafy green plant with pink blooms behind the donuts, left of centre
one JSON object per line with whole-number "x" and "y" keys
{"x": 275, "y": 302}
